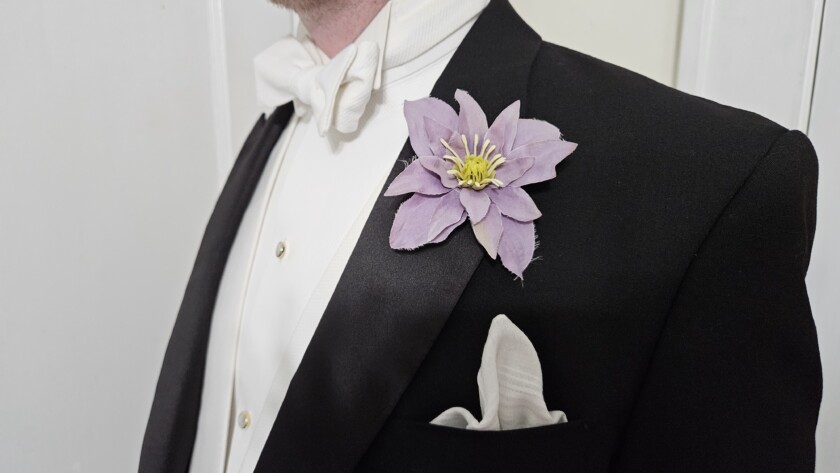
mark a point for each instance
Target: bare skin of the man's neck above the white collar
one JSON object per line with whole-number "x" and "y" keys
{"x": 335, "y": 26}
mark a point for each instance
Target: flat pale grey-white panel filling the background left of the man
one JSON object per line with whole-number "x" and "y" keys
{"x": 106, "y": 179}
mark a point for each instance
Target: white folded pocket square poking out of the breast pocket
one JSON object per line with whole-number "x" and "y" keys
{"x": 509, "y": 385}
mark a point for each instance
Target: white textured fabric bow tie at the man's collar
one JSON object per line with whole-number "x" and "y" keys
{"x": 337, "y": 92}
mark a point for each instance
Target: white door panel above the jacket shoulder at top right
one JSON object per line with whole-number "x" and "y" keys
{"x": 754, "y": 54}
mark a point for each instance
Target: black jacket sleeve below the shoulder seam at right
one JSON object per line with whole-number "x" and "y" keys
{"x": 734, "y": 384}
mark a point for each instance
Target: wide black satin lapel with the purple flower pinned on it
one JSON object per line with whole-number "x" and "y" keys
{"x": 389, "y": 306}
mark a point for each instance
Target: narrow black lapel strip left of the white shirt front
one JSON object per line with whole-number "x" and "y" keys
{"x": 170, "y": 433}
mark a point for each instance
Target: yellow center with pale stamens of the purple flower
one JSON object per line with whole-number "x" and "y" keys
{"x": 475, "y": 170}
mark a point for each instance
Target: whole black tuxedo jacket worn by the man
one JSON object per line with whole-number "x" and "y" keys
{"x": 668, "y": 305}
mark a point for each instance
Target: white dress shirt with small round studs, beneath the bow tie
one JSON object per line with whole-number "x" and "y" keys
{"x": 313, "y": 198}
